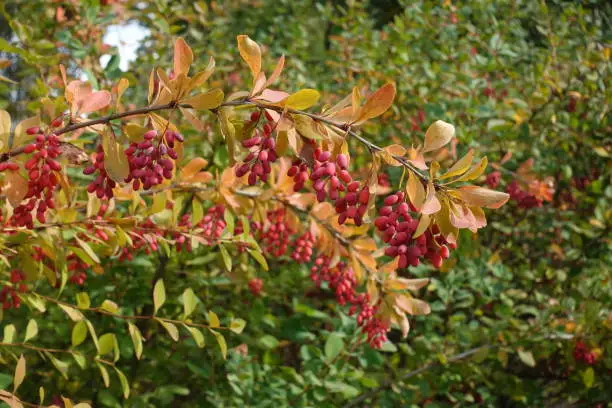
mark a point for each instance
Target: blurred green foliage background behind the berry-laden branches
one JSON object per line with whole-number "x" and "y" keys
{"x": 524, "y": 82}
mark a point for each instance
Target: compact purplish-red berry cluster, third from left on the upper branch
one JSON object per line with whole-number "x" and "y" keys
{"x": 152, "y": 161}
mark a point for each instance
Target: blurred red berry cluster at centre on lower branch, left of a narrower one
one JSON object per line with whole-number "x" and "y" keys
{"x": 274, "y": 233}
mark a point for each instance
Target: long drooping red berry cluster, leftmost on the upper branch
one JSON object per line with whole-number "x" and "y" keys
{"x": 42, "y": 181}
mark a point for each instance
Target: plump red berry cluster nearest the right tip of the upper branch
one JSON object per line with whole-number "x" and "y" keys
{"x": 397, "y": 227}
